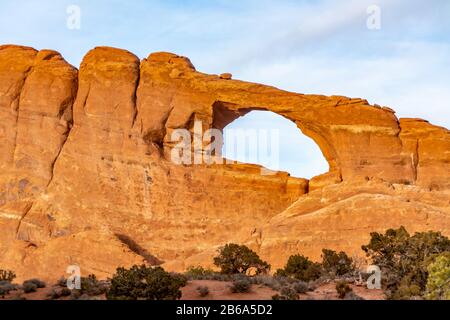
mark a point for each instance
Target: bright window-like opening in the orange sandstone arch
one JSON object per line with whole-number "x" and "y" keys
{"x": 266, "y": 138}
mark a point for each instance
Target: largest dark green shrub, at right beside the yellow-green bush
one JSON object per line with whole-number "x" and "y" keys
{"x": 404, "y": 259}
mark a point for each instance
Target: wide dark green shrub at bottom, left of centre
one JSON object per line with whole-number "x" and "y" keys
{"x": 144, "y": 283}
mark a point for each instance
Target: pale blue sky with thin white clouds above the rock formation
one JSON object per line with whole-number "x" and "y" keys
{"x": 319, "y": 47}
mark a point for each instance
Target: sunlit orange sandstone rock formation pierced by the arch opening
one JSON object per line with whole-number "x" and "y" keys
{"x": 85, "y": 157}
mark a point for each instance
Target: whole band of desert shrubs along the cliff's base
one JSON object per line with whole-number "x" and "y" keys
{"x": 412, "y": 267}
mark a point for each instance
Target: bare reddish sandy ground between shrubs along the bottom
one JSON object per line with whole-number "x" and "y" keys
{"x": 219, "y": 290}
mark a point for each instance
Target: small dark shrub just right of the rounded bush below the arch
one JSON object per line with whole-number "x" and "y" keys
{"x": 301, "y": 268}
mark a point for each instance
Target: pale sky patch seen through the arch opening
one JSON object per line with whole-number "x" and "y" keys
{"x": 298, "y": 154}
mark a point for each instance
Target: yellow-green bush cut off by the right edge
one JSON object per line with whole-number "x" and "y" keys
{"x": 438, "y": 283}
